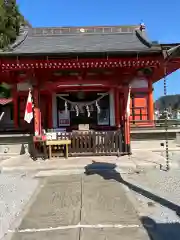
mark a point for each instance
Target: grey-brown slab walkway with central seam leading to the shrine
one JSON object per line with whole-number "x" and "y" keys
{"x": 88, "y": 206}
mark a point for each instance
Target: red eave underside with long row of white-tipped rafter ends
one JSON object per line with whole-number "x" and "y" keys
{"x": 20, "y": 64}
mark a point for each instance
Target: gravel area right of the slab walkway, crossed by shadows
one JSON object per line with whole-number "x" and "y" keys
{"x": 157, "y": 195}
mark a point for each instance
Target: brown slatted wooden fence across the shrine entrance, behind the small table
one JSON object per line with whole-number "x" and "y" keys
{"x": 92, "y": 143}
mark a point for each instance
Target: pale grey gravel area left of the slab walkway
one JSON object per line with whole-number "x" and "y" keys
{"x": 15, "y": 191}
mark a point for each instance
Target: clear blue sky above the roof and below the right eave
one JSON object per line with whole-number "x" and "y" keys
{"x": 161, "y": 19}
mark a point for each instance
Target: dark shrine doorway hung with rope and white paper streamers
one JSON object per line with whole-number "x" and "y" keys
{"x": 83, "y": 108}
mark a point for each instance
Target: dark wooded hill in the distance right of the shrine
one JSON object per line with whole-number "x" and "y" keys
{"x": 172, "y": 101}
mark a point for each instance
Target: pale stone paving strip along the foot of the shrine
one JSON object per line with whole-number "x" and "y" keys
{"x": 139, "y": 158}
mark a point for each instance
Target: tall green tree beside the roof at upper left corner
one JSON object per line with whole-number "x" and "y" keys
{"x": 10, "y": 22}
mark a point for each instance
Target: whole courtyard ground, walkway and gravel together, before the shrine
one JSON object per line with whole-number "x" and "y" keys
{"x": 114, "y": 199}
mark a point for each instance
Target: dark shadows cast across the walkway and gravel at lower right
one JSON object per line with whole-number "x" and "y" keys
{"x": 156, "y": 231}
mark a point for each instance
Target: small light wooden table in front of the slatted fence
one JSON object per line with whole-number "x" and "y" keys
{"x": 65, "y": 143}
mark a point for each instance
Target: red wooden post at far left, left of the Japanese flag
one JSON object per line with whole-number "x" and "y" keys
{"x": 15, "y": 105}
